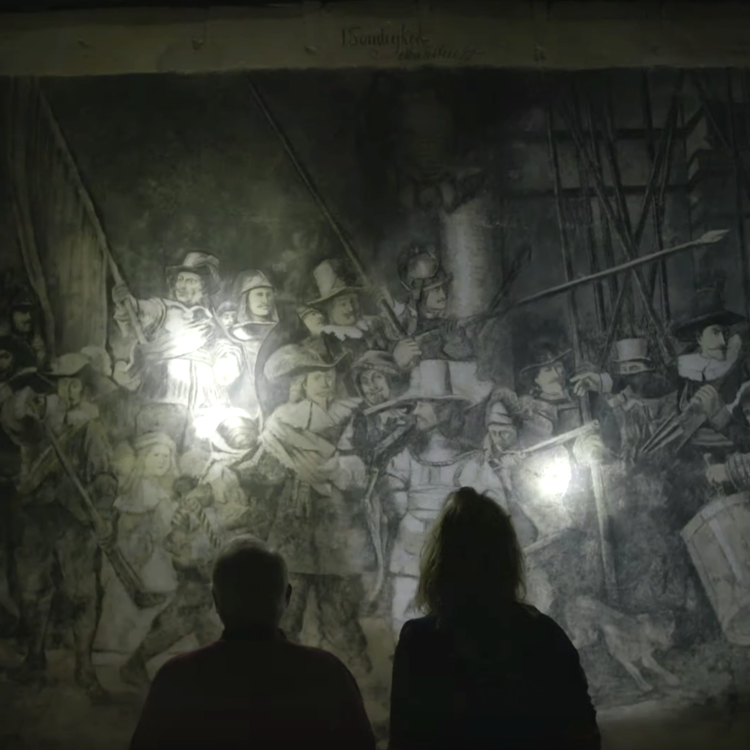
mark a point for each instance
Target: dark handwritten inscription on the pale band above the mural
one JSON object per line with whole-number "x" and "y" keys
{"x": 406, "y": 43}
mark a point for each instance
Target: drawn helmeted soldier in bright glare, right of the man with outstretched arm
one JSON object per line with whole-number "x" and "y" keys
{"x": 256, "y": 317}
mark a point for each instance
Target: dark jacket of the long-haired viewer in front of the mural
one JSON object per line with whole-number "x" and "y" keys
{"x": 527, "y": 690}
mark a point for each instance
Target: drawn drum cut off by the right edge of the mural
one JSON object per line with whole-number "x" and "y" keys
{"x": 718, "y": 540}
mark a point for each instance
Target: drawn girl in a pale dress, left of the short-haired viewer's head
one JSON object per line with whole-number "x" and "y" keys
{"x": 145, "y": 511}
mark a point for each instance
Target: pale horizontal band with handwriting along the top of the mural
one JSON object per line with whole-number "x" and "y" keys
{"x": 531, "y": 35}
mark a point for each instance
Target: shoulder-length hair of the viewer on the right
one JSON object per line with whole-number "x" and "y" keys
{"x": 472, "y": 563}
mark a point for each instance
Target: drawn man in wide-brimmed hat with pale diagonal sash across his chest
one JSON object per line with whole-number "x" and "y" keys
{"x": 318, "y": 522}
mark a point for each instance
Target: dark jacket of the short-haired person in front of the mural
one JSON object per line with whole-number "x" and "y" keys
{"x": 254, "y": 690}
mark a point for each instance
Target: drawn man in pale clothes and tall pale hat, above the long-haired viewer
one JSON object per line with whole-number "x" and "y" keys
{"x": 435, "y": 463}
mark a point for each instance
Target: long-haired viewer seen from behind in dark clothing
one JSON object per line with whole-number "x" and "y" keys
{"x": 483, "y": 669}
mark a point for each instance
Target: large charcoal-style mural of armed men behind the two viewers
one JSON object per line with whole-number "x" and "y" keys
{"x": 309, "y": 305}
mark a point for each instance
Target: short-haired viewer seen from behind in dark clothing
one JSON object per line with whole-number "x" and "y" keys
{"x": 253, "y": 688}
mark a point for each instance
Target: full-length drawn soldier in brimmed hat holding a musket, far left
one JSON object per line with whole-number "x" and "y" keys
{"x": 56, "y": 525}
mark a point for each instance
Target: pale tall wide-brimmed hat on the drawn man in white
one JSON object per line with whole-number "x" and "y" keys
{"x": 441, "y": 380}
